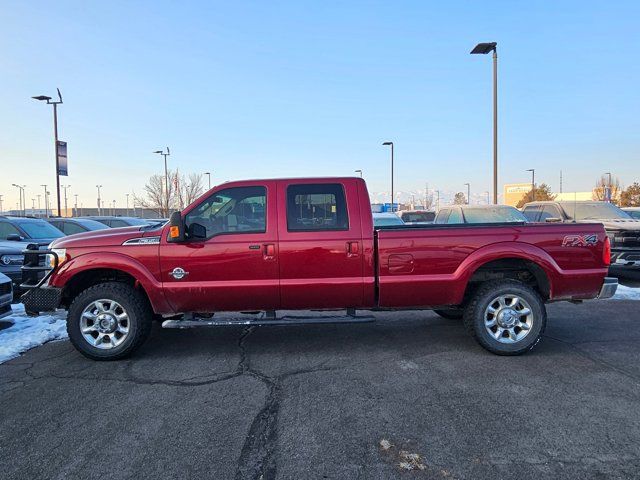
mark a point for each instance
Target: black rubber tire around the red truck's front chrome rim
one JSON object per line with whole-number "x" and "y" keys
{"x": 139, "y": 320}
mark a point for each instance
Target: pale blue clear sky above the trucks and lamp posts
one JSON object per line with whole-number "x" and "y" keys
{"x": 266, "y": 89}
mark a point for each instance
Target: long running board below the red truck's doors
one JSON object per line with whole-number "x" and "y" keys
{"x": 286, "y": 320}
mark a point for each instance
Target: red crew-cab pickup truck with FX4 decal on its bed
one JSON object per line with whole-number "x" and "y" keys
{"x": 294, "y": 244}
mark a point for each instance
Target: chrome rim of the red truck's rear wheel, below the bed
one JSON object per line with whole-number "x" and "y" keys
{"x": 508, "y": 318}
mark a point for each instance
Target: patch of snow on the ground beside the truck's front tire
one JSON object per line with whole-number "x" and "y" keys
{"x": 29, "y": 332}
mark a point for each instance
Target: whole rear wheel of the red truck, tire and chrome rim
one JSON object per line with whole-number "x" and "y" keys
{"x": 506, "y": 317}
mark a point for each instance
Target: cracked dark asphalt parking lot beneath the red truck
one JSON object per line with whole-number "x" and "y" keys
{"x": 409, "y": 396}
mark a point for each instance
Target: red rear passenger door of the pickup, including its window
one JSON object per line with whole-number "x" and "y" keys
{"x": 320, "y": 244}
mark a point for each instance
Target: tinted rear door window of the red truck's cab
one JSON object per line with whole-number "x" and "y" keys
{"x": 313, "y": 207}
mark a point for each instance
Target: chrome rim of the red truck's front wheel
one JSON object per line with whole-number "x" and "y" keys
{"x": 104, "y": 324}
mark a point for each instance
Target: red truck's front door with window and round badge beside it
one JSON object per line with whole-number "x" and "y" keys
{"x": 236, "y": 266}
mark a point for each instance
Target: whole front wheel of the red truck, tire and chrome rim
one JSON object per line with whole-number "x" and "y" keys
{"x": 109, "y": 321}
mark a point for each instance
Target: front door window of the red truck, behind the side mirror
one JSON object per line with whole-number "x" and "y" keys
{"x": 233, "y": 210}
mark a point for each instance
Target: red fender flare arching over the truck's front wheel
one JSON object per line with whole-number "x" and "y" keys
{"x": 114, "y": 261}
